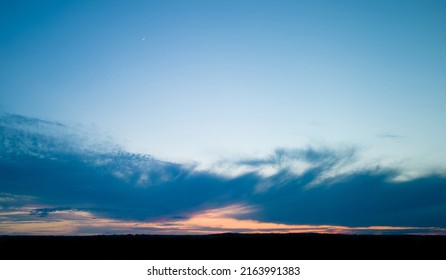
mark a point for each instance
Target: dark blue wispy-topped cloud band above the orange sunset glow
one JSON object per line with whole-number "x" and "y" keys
{"x": 121, "y": 185}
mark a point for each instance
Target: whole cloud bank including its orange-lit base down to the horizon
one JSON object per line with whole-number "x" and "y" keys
{"x": 46, "y": 181}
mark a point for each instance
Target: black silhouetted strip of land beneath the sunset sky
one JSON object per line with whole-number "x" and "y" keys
{"x": 224, "y": 246}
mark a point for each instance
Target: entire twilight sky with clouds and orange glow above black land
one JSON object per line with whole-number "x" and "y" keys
{"x": 238, "y": 115}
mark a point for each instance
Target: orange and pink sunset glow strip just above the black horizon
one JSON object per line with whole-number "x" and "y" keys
{"x": 217, "y": 220}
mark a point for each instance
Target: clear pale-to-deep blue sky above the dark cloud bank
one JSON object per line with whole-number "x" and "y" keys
{"x": 220, "y": 83}
